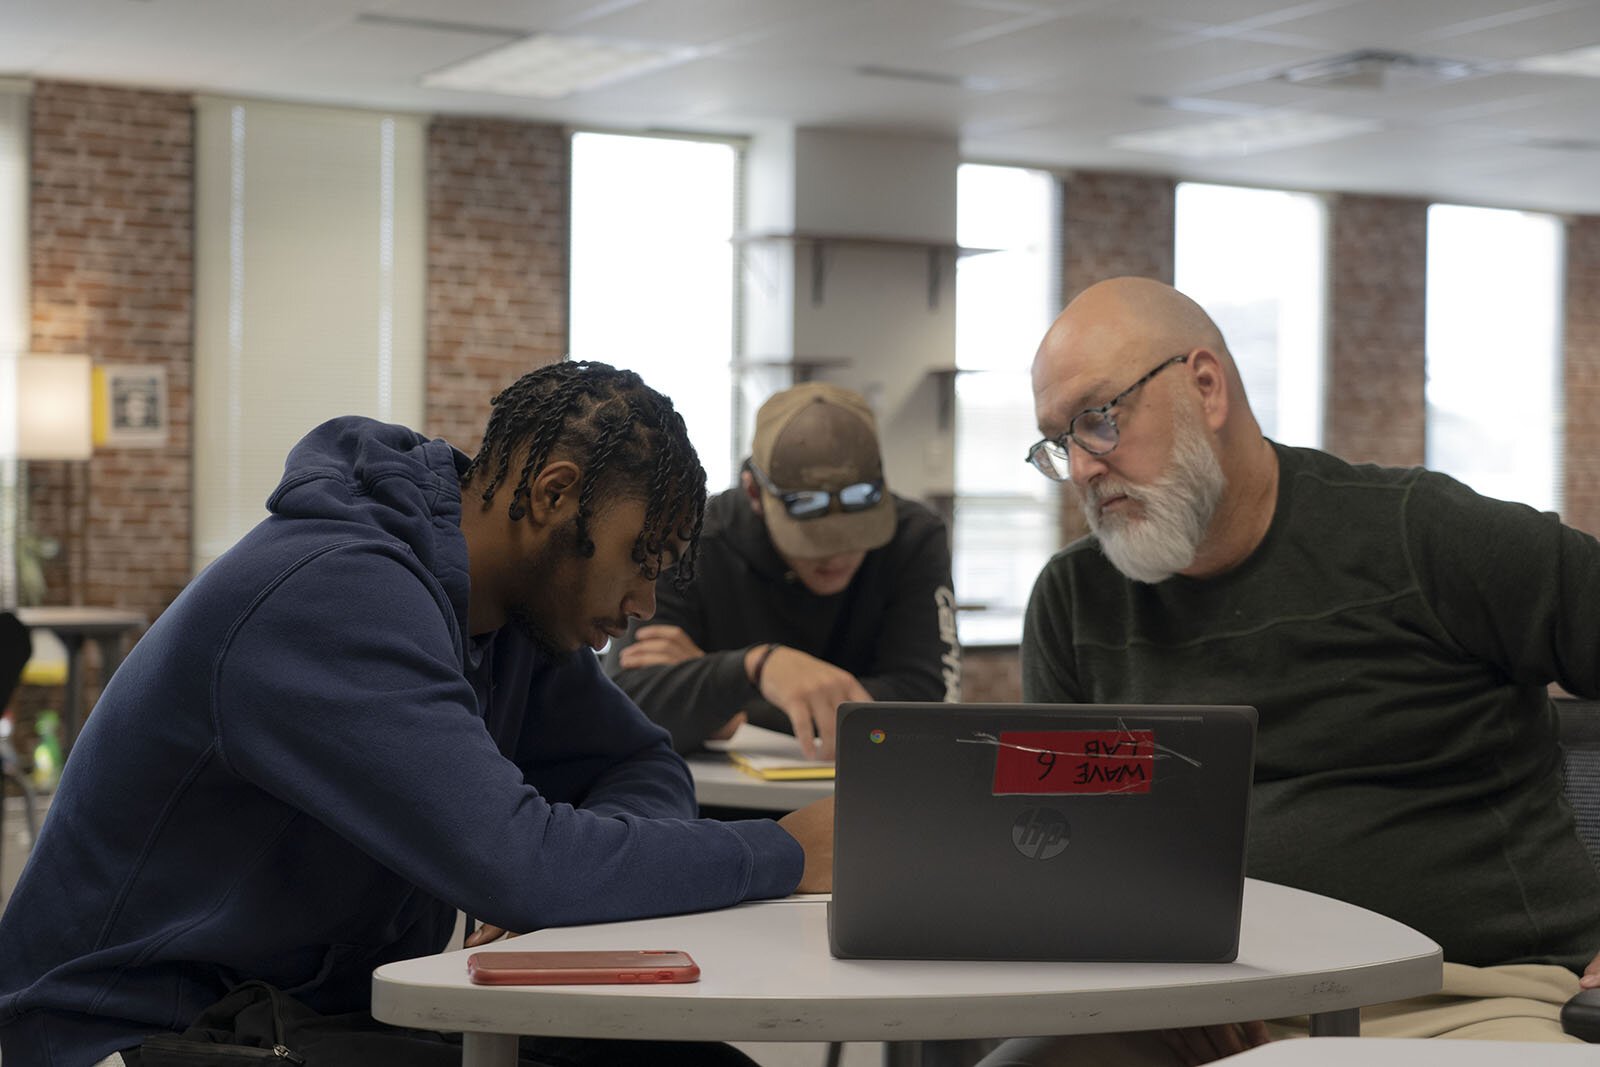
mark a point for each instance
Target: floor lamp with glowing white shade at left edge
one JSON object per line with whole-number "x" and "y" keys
{"x": 46, "y": 415}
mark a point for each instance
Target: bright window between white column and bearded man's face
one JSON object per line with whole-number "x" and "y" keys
{"x": 1007, "y": 518}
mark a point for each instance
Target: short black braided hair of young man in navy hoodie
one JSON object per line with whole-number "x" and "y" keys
{"x": 622, "y": 433}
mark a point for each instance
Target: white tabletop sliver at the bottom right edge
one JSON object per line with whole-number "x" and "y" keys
{"x": 1342, "y": 1052}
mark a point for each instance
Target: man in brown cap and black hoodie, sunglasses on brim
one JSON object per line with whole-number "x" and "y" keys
{"x": 815, "y": 586}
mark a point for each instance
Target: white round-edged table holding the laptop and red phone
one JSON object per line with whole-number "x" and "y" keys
{"x": 767, "y": 977}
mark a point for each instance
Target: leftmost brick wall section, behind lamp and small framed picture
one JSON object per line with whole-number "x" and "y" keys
{"x": 111, "y": 258}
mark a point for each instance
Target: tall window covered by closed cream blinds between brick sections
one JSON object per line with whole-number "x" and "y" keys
{"x": 310, "y": 290}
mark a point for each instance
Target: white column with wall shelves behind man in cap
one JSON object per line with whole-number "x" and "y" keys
{"x": 873, "y": 324}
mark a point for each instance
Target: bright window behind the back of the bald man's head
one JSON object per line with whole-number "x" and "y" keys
{"x": 1255, "y": 260}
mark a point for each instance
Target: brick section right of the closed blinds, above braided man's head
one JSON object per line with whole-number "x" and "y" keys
{"x": 497, "y": 265}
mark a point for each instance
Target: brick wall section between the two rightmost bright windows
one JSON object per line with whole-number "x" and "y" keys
{"x": 1377, "y": 318}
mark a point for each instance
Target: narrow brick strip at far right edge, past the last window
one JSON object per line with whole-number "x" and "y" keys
{"x": 1582, "y": 506}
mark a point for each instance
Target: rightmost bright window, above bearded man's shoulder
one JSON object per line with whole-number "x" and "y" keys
{"x": 1495, "y": 407}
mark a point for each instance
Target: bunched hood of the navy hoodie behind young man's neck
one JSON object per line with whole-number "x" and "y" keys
{"x": 383, "y": 478}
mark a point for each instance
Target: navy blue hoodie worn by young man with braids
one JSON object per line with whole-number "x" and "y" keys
{"x": 308, "y": 765}
